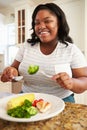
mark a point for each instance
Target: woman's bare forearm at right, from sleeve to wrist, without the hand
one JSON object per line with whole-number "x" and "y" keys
{"x": 79, "y": 80}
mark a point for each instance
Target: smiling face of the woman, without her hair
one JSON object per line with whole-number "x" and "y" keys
{"x": 46, "y": 26}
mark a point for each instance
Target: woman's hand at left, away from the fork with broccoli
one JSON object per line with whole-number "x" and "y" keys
{"x": 8, "y": 74}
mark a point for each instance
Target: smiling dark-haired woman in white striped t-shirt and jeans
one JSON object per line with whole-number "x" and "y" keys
{"x": 50, "y": 45}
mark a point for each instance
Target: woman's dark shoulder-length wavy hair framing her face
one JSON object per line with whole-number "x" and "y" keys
{"x": 63, "y": 32}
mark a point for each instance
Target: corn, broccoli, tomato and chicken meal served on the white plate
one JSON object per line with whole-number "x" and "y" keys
{"x": 26, "y": 105}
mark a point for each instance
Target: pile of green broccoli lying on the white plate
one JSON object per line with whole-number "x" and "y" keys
{"x": 24, "y": 111}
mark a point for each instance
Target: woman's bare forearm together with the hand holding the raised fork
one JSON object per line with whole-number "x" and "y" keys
{"x": 77, "y": 84}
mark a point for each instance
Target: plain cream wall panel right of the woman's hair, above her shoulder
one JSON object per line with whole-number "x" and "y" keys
{"x": 74, "y": 10}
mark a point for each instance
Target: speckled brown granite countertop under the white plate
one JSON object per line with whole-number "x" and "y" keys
{"x": 73, "y": 117}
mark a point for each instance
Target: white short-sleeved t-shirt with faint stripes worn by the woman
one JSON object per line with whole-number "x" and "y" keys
{"x": 28, "y": 55}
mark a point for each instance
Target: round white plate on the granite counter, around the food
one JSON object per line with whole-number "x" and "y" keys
{"x": 58, "y": 106}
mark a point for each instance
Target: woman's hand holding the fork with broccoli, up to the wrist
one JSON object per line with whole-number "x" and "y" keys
{"x": 64, "y": 80}
